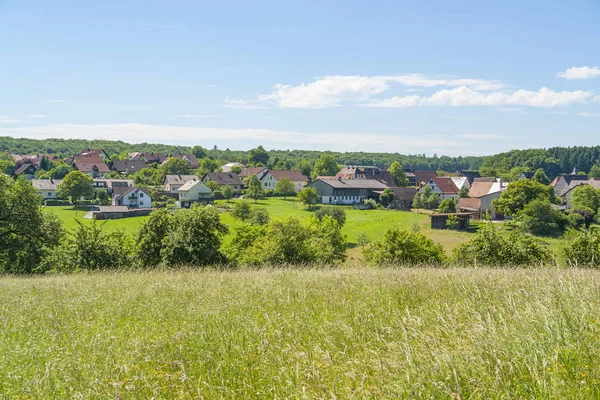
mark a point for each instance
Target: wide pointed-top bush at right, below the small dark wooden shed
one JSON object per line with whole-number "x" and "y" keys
{"x": 491, "y": 247}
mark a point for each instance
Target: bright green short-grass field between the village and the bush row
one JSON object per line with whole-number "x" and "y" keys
{"x": 372, "y": 223}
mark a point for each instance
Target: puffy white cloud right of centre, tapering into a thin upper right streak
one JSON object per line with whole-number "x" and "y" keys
{"x": 335, "y": 90}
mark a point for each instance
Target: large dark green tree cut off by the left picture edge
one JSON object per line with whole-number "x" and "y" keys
{"x": 27, "y": 234}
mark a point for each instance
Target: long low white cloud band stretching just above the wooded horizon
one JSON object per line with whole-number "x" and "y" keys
{"x": 248, "y": 138}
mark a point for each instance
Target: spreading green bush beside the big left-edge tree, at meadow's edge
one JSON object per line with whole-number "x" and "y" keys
{"x": 90, "y": 248}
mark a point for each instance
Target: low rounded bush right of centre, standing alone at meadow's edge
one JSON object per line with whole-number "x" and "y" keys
{"x": 404, "y": 247}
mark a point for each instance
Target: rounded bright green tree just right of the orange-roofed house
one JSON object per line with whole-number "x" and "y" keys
{"x": 519, "y": 193}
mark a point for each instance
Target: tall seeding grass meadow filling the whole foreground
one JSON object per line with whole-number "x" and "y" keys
{"x": 349, "y": 333}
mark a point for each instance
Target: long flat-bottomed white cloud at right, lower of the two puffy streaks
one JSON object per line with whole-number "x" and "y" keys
{"x": 464, "y": 96}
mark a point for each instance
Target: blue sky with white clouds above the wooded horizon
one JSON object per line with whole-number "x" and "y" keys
{"x": 414, "y": 77}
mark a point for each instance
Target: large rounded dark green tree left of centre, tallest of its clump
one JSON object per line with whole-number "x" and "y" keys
{"x": 194, "y": 238}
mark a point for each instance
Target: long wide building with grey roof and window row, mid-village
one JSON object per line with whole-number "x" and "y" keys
{"x": 346, "y": 191}
